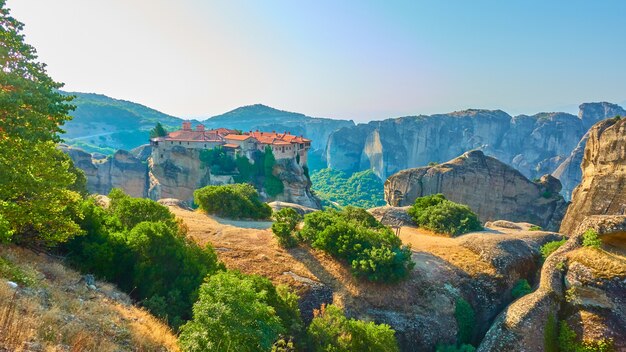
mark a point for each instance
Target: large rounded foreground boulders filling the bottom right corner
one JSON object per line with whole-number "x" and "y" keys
{"x": 593, "y": 307}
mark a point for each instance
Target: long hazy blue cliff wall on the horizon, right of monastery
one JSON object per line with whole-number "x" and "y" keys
{"x": 535, "y": 145}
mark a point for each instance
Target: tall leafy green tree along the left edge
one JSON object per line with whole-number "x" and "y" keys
{"x": 36, "y": 206}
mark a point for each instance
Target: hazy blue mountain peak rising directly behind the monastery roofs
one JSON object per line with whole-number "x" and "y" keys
{"x": 265, "y": 118}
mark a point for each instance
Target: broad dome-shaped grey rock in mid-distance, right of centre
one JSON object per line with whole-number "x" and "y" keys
{"x": 492, "y": 189}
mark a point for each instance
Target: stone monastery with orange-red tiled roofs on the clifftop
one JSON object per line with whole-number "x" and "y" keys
{"x": 283, "y": 145}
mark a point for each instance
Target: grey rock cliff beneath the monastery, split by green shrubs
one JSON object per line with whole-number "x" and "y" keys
{"x": 139, "y": 176}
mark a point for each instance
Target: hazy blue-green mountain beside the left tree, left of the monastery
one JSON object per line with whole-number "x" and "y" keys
{"x": 103, "y": 124}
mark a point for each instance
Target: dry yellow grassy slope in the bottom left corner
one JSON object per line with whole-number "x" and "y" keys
{"x": 59, "y": 313}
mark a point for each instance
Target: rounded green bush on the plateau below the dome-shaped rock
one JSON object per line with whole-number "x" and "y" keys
{"x": 440, "y": 215}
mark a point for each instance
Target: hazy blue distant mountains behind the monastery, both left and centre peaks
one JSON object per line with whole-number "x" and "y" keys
{"x": 103, "y": 124}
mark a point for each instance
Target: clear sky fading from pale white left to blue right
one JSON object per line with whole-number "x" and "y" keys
{"x": 345, "y": 59}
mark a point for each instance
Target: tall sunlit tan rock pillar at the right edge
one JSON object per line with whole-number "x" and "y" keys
{"x": 603, "y": 187}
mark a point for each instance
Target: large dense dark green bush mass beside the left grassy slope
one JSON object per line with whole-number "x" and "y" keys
{"x": 152, "y": 260}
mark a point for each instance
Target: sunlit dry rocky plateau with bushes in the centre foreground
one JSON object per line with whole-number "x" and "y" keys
{"x": 479, "y": 267}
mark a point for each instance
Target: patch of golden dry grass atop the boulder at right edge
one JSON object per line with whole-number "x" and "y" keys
{"x": 603, "y": 264}
